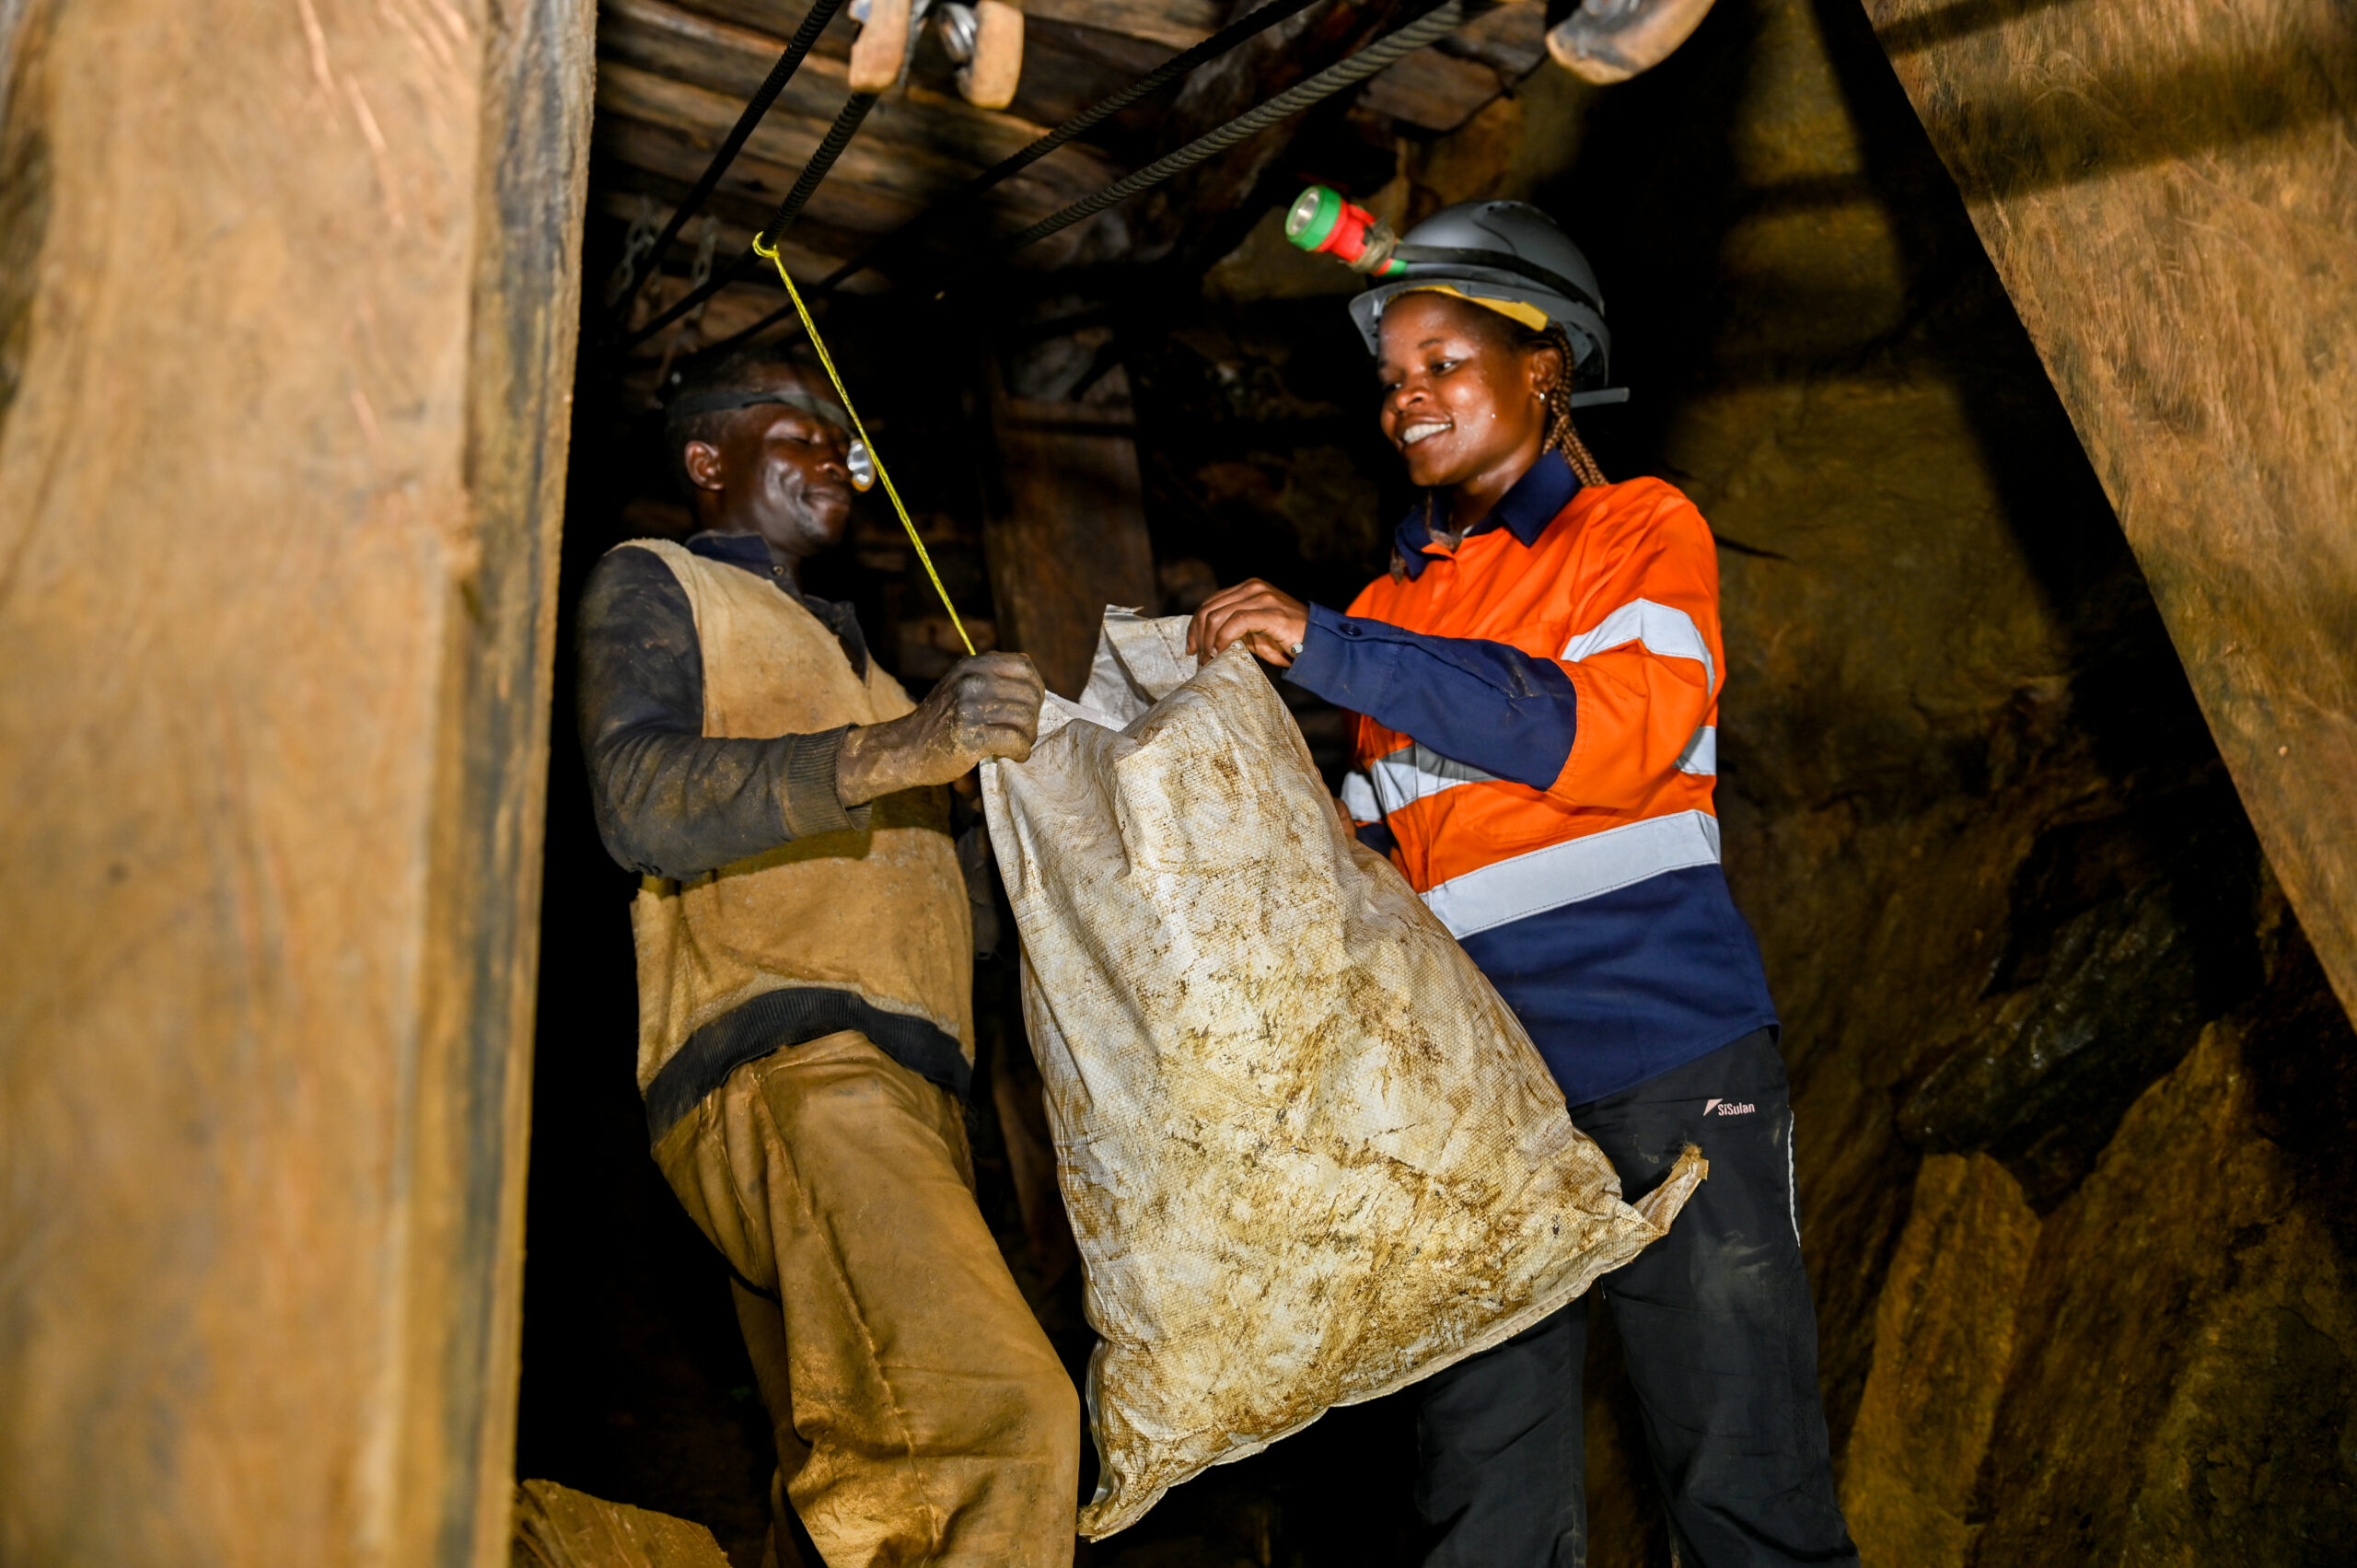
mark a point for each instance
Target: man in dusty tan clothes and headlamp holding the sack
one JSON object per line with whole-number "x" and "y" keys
{"x": 805, "y": 991}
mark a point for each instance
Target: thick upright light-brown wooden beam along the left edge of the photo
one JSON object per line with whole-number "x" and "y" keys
{"x": 282, "y": 456}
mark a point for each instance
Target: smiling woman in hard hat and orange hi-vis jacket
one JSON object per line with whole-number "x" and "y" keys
{"x": 1536, "y": 749}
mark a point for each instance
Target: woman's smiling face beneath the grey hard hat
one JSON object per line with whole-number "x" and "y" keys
{"x": 1463, "y": 400}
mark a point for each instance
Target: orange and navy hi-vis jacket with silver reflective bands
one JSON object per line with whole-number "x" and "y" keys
{"x": 1538, "y": 730}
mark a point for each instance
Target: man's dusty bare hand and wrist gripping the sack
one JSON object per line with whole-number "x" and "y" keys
{"x": 986, "y": 706}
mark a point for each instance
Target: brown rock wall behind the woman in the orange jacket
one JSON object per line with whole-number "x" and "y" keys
{"x": 2068, "y": 1076}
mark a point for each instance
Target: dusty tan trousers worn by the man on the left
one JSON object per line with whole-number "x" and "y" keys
{"x": 920, "y": 1414}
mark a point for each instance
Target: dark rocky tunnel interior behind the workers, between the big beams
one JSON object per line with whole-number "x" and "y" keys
{"x": 2028, "y": 954}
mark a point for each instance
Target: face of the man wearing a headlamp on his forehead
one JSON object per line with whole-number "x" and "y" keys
{"x": 774, "y": 470}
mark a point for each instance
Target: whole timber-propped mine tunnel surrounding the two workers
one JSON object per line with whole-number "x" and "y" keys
{"x": 2005, "y": 345}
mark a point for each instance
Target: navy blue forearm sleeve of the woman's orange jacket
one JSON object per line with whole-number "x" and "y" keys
{"x": 1472, "y": 701}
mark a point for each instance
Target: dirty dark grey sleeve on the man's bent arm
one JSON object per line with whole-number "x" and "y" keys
{"x": 668, "y": 801}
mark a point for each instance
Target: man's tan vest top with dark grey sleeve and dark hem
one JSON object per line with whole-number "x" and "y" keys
{"x": 772, "y": 916}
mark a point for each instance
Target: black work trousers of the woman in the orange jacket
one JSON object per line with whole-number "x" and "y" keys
{"x": 1722, "y": 1348}
